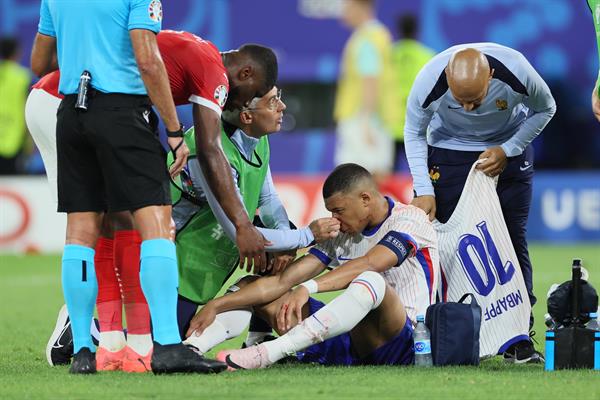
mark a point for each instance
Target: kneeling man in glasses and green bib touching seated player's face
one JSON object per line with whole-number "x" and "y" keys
{"x": 206, "y": 238}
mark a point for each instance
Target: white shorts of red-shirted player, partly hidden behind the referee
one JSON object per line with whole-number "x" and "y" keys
{"x": 40, "y": 116}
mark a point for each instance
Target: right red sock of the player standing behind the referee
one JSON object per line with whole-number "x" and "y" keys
{"x": 127, "y": 260}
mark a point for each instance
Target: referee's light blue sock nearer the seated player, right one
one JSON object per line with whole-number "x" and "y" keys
{"x": 159, "y": 279}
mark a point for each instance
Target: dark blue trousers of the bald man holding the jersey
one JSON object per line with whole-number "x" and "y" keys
{"x": 449, "y": 169}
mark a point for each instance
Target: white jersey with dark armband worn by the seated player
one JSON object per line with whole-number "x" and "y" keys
{"x": 416, "y": 279}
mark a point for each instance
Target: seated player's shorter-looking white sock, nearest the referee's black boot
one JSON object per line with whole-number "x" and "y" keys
{"x": 227, "y": 325}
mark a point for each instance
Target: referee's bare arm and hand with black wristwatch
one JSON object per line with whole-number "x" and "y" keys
{"x": 156, "y": 80}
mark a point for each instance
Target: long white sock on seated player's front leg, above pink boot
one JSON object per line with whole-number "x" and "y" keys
{"x": 364, "y": 294}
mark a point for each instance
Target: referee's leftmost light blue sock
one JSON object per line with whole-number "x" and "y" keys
{"x": 80, "y": 289}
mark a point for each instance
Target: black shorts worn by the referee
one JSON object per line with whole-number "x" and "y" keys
{"x": 109, "y": 157}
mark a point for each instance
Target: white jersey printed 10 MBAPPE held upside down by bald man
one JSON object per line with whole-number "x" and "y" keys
{"x": 477, "y": 256}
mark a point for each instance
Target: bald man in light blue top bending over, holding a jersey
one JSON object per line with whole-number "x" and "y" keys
{"x": 476, "y": 101}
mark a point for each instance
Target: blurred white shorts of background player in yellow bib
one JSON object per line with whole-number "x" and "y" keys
{"x": 353, "y": 145}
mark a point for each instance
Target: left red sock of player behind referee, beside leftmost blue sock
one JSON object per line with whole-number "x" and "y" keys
{"x": 108, "y": 302}
